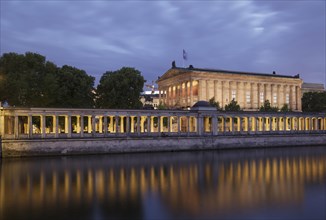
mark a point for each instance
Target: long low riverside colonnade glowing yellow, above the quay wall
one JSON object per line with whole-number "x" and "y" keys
{"x": 55, "y": 123}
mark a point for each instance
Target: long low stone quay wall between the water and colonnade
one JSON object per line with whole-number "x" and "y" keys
{"x": 77, "y": 146}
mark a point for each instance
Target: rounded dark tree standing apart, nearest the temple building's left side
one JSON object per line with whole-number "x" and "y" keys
{"x": 120, "y": 89}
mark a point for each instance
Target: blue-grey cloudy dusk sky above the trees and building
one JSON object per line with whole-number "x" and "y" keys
{"x": 255, "y": 36}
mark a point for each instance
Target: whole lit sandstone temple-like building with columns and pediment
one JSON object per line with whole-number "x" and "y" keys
{"x": 183, "y": 87}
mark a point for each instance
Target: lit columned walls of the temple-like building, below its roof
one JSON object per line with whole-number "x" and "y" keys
{"x": 249, "y": 95}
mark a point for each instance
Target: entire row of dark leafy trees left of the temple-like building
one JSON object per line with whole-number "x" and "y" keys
{"x": 29, "y": 80}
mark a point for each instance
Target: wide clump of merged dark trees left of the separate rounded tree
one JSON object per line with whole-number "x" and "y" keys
{"x": 28, "y": 80}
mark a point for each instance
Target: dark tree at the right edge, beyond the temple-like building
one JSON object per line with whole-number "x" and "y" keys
{"x": 314, "y": 102}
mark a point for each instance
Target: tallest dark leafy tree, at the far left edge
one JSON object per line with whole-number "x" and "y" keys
{"x": 27, "y": 80}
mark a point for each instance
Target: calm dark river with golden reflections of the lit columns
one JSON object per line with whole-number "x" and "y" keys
{"x": 278, "y": 183}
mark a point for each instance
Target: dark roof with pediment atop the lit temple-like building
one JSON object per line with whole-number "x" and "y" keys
{"x": 177, "y": 70}
